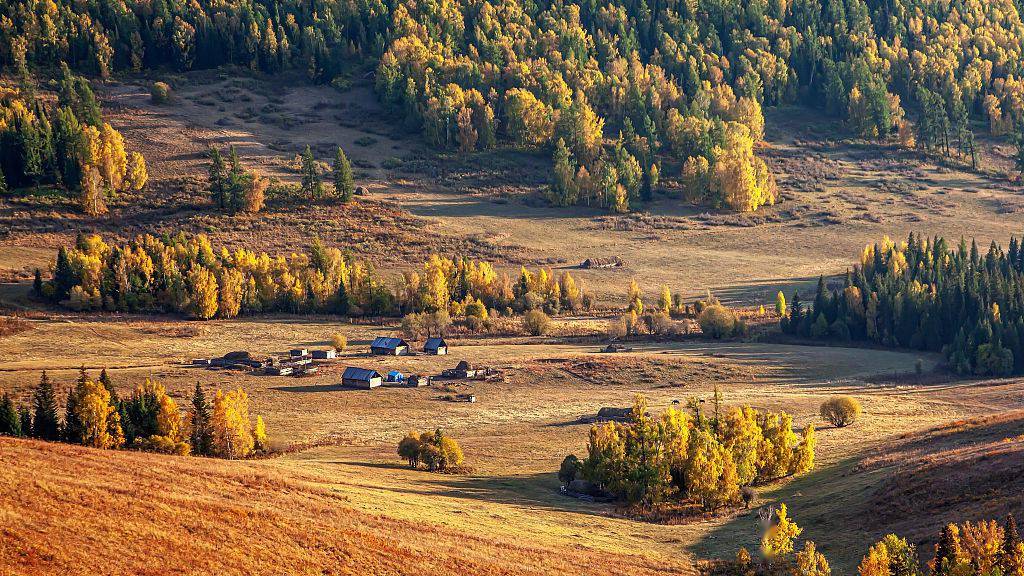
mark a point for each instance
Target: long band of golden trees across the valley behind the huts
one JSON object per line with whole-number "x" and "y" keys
{"x": 185, "y": 274}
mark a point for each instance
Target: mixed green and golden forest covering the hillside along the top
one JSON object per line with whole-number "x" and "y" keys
{"x": 621, "y": 94}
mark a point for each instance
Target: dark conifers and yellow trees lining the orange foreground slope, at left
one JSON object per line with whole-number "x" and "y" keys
{"x": 148, "y": 420}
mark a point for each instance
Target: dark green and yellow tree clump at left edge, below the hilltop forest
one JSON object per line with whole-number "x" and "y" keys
{"x": 67, "y": 146}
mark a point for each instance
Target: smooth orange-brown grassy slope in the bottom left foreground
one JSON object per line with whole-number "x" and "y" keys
{"x": 76, "y": 511}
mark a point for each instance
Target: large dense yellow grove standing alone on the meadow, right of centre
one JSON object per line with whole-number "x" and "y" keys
{"x": 698, "y": 458}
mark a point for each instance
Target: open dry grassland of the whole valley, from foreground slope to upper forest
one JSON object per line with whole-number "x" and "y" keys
{"x": 346, "y": 505}
